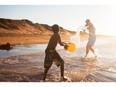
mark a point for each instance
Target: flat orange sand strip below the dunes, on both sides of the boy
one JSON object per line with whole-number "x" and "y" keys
{"x": 29, "y": 39}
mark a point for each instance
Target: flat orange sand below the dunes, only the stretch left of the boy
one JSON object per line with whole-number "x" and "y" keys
{"x": 22, "y": 39}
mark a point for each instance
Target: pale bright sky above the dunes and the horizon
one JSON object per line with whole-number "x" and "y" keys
{"x": 70, "y": 17}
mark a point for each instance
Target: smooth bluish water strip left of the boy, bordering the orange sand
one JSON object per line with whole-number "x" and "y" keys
{"x": 22, "y": 50}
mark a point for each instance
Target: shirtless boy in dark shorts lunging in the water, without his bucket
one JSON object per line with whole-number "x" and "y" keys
{"x": 51, "y": 53}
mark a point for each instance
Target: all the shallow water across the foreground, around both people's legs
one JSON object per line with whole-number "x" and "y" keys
{"x": 28, "y": 60}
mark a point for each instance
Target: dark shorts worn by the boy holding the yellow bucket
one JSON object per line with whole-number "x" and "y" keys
{"x": 50, "y": 57}
